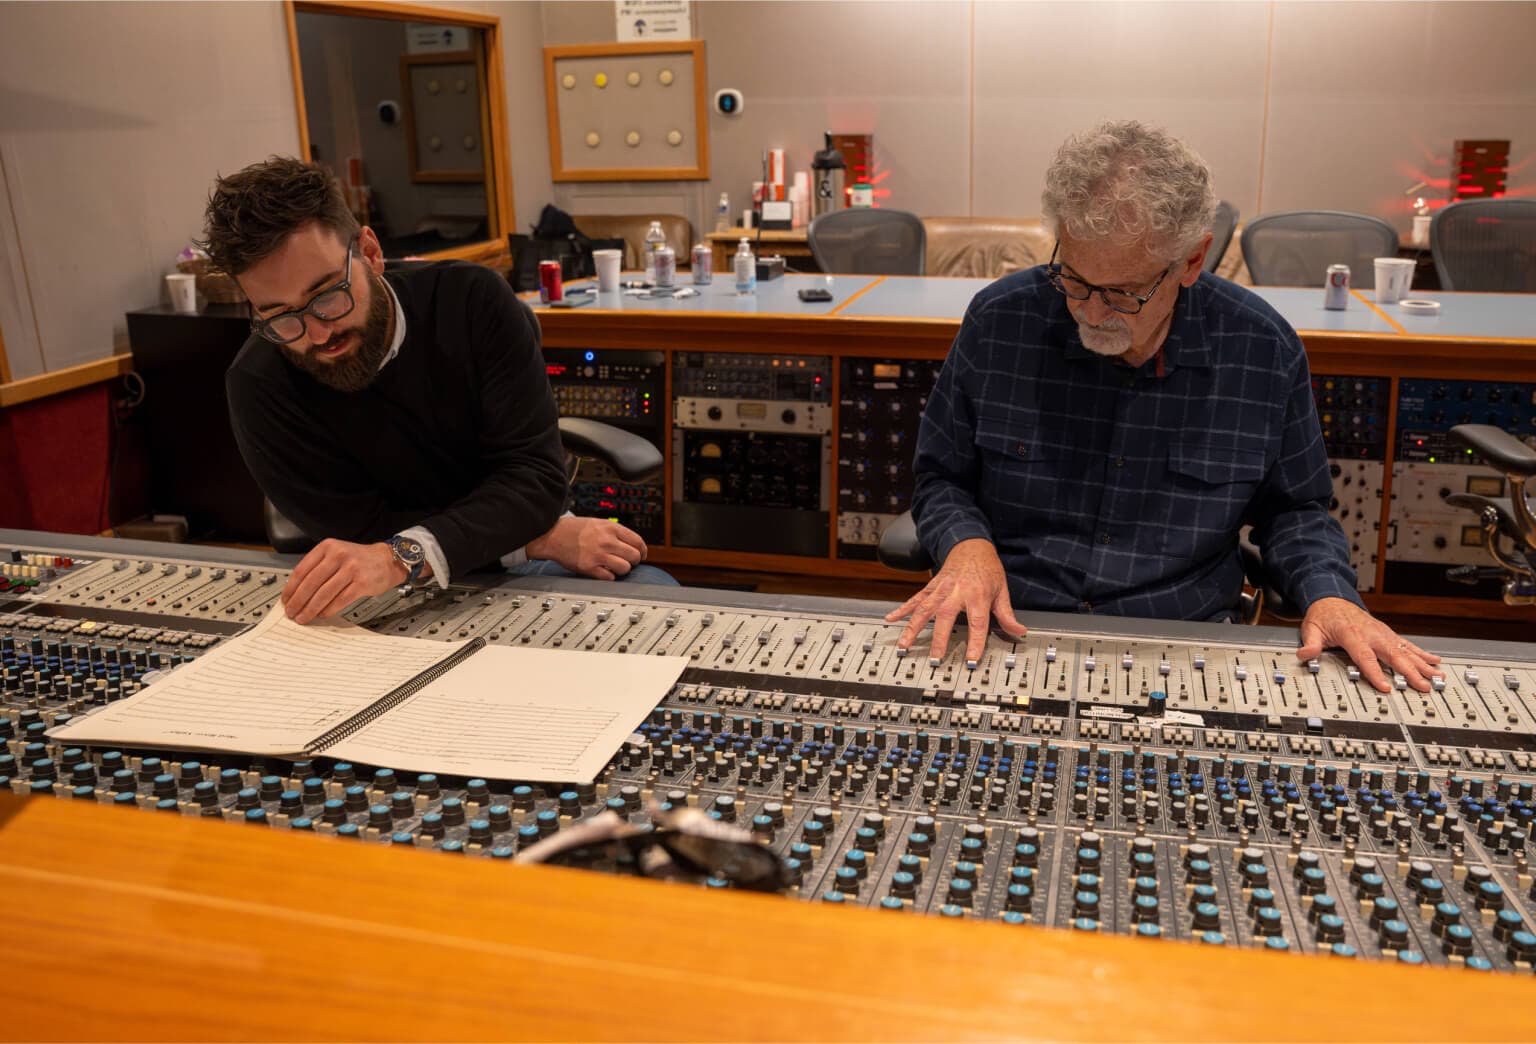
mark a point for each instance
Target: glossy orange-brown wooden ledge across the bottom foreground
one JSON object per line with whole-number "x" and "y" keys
{"x": 128, "y": 925}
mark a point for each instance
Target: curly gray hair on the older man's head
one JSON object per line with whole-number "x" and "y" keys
{"x": 1134, "y": 183}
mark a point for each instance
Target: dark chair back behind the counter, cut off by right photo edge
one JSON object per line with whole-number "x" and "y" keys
{"x": 1486, "y": 245}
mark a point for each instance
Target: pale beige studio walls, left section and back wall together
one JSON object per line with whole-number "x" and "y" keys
{"x": 116, "y": 117}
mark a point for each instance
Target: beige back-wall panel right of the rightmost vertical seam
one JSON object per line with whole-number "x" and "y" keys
{"x": 1366, "y": 99}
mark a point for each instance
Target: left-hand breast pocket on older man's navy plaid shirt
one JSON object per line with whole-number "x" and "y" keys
{"x": 1024, "y": 486}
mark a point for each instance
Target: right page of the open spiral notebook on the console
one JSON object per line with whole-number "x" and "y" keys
{"x": 515, "y": 713}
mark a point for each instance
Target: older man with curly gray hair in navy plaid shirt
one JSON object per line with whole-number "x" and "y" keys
{"x": 1105, "y": 426}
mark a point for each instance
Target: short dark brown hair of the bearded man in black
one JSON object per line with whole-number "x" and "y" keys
{"x": 254, "y": 211}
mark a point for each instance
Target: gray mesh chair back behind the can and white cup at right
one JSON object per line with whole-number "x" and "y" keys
{"x": 1296, "y": 249}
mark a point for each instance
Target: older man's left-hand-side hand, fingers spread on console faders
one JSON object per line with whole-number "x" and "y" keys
{"x": 972, "y": 581}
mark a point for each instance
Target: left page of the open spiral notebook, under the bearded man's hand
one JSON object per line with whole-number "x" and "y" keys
{"x": 274, "y": 690}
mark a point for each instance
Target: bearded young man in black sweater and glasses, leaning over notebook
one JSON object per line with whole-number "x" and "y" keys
{"x": 403, "y": 420}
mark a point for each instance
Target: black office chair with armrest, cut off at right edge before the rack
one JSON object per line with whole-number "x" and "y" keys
{"x": 1509, "y": 518}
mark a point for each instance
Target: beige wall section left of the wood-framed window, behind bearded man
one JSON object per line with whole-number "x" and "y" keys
{"x": 114, "y": 119}
